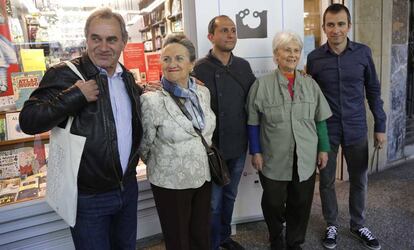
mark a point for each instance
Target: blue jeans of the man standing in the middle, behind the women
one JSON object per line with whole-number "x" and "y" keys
{"x": 222, "y": 203}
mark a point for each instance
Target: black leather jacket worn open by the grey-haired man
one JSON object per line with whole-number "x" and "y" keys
{"x": 57, "y": 98}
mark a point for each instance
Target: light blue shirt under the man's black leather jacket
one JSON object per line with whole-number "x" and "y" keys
{"x": 121, "y": 110}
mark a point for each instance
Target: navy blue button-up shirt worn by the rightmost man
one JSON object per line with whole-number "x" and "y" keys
{"x": 345, "y": 80}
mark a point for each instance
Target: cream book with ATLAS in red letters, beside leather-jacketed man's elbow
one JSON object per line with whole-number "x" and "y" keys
{"x": 23, "y": 85}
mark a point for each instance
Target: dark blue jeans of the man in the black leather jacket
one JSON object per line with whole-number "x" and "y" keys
{"x": 107, "y": 220}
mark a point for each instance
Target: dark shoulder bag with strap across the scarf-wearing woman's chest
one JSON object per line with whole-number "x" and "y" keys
{"x": 218, "y": 168}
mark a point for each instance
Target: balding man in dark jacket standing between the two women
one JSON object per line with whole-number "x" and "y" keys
{"x": 228, "y": 78}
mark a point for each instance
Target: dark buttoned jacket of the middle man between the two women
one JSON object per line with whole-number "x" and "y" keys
{"x": 228, "y": 100}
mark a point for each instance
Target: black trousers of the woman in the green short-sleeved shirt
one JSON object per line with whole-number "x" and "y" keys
{"x": 289, "y": 201}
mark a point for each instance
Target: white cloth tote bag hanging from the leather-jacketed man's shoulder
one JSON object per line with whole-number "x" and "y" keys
{"x": 65, "y": 151}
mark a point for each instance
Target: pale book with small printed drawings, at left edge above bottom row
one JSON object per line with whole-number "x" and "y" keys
{"x": 9, "y": 165}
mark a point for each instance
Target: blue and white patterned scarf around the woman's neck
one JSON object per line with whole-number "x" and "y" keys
{"x": 191, "y": 103}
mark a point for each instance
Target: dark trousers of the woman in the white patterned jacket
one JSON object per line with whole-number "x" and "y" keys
{"x": 185, "y": 216}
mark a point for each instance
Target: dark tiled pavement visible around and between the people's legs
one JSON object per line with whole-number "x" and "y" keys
{"x": 389, "y": 213}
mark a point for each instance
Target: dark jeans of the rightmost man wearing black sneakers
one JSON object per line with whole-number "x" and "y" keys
{"x": 356, "y": 157}
